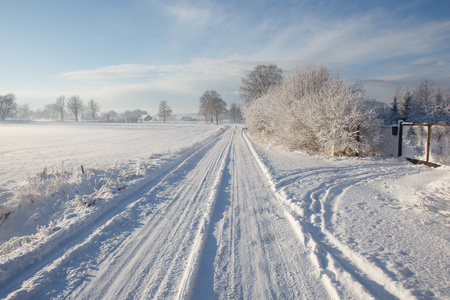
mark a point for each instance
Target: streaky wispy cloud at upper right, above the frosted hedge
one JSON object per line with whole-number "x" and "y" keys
{"x": 357, "y": 40}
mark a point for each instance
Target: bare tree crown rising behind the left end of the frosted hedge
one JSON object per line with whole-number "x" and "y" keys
{"x": 258, "y": 82}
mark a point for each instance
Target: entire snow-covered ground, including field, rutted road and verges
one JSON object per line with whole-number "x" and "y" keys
{"x": 209, "y": 213}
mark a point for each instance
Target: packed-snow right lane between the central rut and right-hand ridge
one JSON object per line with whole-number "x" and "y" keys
{"x": 249, "y": 254}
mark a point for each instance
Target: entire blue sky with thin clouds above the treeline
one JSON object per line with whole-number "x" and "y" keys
{"x": 133, "y": 54}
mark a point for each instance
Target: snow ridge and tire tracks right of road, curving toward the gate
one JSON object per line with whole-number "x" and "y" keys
{"x": 343, "y": 271}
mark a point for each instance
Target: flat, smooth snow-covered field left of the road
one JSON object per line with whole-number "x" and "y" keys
{"x": 30, "y": 147}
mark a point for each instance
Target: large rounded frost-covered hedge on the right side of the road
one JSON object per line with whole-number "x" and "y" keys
{"x": 316, "y": 111}
